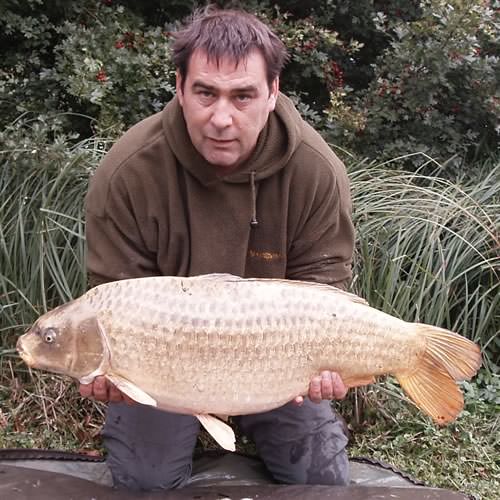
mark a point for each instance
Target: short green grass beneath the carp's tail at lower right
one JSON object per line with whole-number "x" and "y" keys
{"x": 463, "y": 456}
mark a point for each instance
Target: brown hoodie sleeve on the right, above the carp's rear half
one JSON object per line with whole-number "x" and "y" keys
{"x": 322, "y": 244}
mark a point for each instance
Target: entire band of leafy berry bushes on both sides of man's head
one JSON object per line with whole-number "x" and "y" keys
{"x": 381, "y": 78}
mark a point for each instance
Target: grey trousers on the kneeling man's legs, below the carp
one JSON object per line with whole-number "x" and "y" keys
{"x": 150, "y": 449}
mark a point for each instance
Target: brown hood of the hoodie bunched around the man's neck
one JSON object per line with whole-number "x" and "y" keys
{"x": 276, "y": 144}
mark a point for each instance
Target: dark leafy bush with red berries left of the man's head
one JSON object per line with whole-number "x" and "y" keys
{"x": 104, "y": 63}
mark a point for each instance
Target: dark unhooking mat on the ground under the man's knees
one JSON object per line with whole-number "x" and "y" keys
{"x": 39, "y": 475}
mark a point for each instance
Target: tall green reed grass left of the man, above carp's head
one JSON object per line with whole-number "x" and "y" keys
{"x": 42, "y": 183}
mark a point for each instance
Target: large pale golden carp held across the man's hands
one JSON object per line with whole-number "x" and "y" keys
{"x": 223, "y": 345}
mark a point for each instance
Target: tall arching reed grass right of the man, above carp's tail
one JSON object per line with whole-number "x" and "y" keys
{"x": 428, "y": 249}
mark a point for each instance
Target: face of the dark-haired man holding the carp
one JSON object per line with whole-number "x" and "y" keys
{"x": 226, "y": 106}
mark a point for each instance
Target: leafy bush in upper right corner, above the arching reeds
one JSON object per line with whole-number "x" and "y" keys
{"x": 434, "y": 90}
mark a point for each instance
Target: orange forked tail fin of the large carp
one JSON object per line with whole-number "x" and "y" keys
{"x": 448, "y": 358}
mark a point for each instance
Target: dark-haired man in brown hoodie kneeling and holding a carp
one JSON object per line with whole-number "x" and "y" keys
{"x": 227, "y": 178}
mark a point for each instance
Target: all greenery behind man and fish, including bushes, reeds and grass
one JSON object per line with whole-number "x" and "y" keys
{"x": 407, "y": 94}
